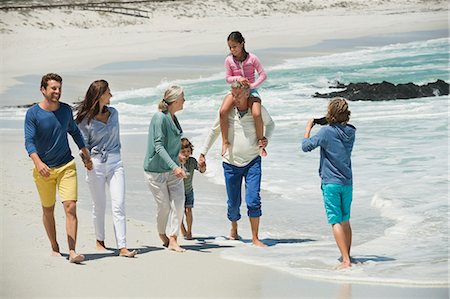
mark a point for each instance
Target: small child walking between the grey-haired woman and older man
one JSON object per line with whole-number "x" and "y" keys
{"x": 189, "y": 164}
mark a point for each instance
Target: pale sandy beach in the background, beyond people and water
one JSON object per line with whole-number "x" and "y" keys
{"x": 78, "y": 54}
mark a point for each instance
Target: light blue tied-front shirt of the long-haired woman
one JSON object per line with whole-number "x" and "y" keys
{"x": 102, "y": 138}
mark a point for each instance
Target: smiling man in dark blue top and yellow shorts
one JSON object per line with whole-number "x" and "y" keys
{"x": 46, "y": 128}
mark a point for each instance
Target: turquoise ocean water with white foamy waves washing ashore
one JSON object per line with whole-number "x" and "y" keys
{"x": 400, "y": 210}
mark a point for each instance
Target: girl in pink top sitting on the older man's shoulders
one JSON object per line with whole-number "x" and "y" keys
{"x": 241, "y": 66}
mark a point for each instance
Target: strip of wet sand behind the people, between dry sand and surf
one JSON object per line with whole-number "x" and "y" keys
{"x": 150, "y": 69}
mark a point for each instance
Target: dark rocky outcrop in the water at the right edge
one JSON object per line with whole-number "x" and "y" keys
{"x": 386, "y": 91}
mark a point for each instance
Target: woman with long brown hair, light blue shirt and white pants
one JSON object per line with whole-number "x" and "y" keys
{"x": 99, "y": 125}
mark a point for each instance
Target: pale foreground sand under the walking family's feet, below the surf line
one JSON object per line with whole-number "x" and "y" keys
{"x": 22, "y": 267}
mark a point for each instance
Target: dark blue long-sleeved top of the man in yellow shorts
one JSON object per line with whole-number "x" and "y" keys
{"x": 46, "y": 134}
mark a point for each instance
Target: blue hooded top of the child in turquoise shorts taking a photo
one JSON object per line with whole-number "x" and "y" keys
{"x": 336, "y": 145}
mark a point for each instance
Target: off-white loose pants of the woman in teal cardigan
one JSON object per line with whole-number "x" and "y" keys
{"x": 168, "y": 191}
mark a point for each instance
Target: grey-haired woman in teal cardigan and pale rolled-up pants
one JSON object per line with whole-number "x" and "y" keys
{"x": 162, "y": 167}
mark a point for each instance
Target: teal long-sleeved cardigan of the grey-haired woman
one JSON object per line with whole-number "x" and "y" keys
{"x": 164, "y": 143}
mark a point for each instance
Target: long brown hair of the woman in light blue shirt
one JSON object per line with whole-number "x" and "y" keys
{"x": 90, "y": 106}
